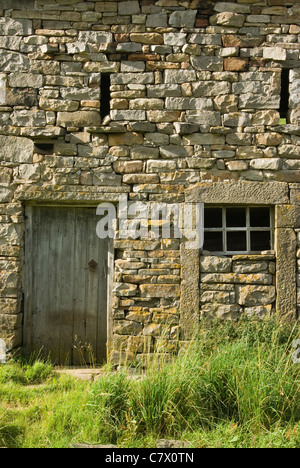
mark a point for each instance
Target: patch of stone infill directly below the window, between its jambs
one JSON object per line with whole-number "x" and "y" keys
{"x": 237, "y": 286}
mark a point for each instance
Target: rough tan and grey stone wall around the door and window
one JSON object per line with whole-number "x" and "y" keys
{"x": 196, "y": 91}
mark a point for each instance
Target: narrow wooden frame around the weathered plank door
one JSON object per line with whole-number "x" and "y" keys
{"x": 28, "y": 286}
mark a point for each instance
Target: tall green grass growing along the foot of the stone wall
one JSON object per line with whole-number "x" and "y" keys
{"x": 235, "y": 386}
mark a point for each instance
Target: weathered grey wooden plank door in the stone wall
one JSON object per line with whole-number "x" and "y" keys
{"x": 65, "y": 285}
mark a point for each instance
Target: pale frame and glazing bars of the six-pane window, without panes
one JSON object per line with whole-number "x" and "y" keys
{"x": 247, "y": 229}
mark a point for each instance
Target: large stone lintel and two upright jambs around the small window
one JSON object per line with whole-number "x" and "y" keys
{"x": 287, "y": 218}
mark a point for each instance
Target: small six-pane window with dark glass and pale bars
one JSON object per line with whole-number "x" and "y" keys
{"x": 230, "y": 230}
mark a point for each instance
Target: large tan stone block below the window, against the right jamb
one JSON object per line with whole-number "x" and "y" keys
{"x": 255, "y": 295}
